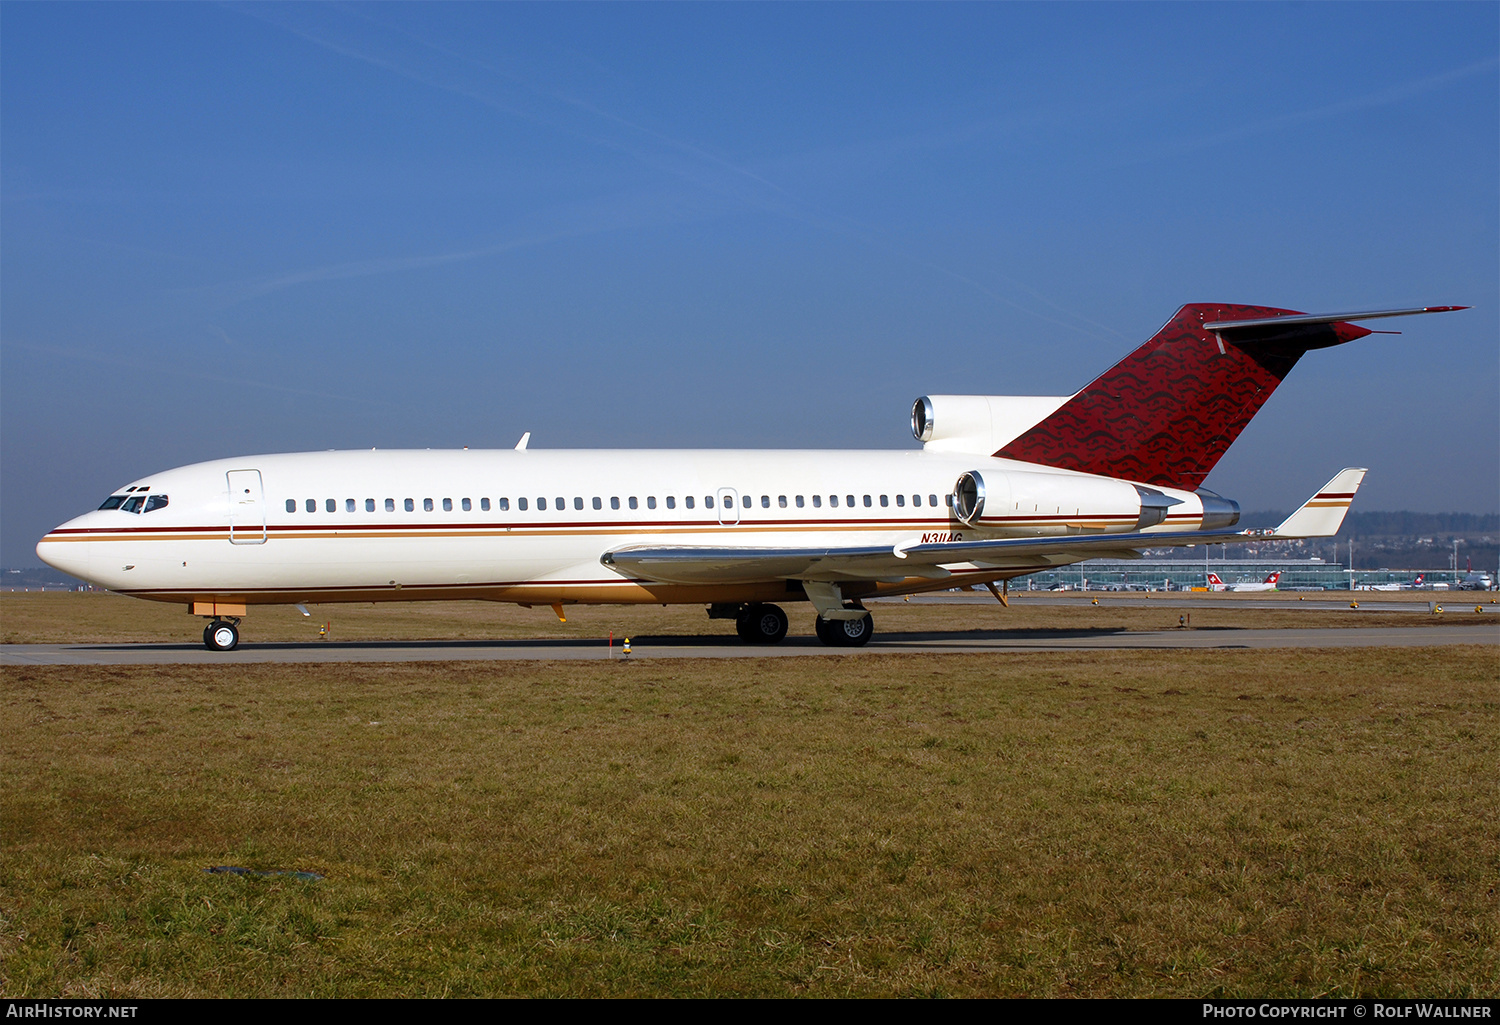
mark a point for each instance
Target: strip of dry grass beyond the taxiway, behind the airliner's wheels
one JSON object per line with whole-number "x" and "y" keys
{"x": 110, "y": 619}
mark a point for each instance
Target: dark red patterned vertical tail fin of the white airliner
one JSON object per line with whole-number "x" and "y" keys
{"x": 1168, "y": 412}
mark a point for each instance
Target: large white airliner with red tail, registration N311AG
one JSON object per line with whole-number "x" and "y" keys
{"x": 1003, "y": 487}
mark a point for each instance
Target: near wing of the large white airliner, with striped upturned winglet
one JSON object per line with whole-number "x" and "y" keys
{"x": 1319, "y": 517}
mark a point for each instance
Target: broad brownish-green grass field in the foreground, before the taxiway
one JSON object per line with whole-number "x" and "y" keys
{"x": 1219, "y": 823}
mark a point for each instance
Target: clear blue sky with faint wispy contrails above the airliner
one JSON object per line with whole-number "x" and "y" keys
{"x": 229, "y": 230}
